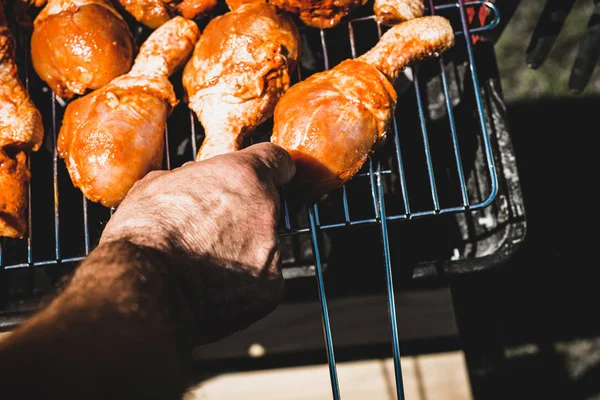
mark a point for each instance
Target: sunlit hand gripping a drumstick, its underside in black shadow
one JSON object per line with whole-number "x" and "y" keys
{"x": 217, "y": 221}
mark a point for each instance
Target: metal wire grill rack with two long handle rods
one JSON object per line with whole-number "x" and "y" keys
{"x": 407, "y": 174}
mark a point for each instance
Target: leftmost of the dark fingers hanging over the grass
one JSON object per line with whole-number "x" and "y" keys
{"x": 546, "y": 31}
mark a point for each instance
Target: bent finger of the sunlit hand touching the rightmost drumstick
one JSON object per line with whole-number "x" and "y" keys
{"x": 277, "y": 162}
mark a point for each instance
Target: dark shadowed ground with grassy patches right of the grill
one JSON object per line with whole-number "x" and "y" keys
{"x": 535, "y": 330}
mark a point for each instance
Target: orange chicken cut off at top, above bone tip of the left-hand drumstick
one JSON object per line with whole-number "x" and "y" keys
{"x": 154, "y": 13}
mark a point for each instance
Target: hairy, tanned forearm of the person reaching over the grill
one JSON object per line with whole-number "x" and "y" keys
{"x": 118, "y": 330}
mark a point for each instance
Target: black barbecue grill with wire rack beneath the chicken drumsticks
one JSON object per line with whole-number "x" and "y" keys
{"x": 448, "y": 166}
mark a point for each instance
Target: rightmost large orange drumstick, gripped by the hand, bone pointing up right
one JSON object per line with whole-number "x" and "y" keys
{"x": 330, "y": 122}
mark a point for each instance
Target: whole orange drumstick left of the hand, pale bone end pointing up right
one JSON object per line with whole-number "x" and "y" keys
{"x": 114, "y": 136}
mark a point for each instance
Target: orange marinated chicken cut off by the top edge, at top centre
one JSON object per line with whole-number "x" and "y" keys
{"x": 314, "y": 13}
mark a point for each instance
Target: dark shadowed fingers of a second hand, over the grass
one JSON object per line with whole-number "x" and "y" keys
{"x": 547, "y": 30}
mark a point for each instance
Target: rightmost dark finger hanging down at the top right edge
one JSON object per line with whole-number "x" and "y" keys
{"x": 588, "y": 54}
